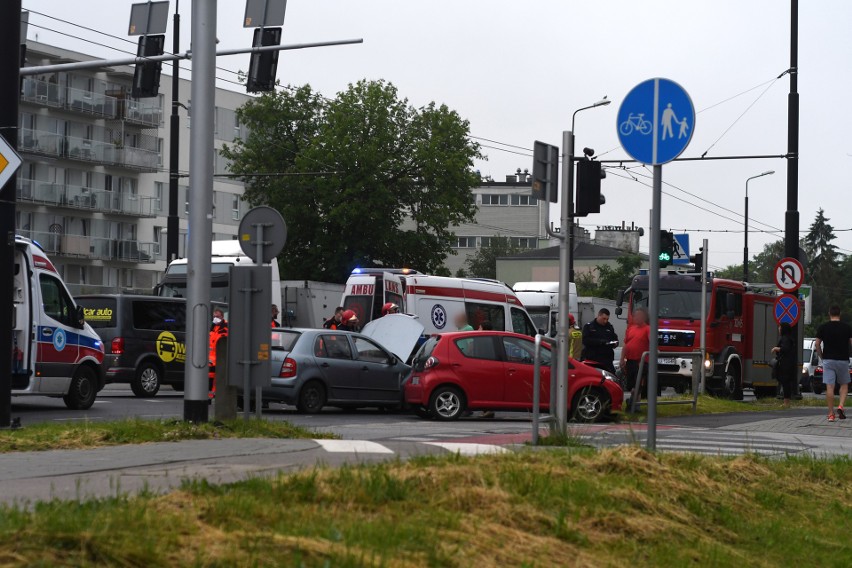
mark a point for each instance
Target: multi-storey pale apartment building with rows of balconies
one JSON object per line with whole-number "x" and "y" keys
{"x": 93, "y": 188}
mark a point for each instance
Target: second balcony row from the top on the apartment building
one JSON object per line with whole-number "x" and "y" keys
{"x": 40, "y": 142}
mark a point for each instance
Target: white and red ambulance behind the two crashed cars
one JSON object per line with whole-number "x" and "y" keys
{"x": 436, "y": 300}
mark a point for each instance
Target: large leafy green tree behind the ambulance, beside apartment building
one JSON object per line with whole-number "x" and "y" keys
{"x": 363, "y": 179}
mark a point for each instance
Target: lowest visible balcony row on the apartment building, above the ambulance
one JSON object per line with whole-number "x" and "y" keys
{"x": 95, "y": 248}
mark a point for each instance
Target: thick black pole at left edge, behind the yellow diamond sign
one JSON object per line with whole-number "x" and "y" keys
{"x": 10, "y": 92}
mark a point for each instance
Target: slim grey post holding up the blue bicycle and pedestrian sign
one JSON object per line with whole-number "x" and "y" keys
{"x": 653, "y": 305}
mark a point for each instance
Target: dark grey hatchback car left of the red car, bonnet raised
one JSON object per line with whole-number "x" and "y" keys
{"x": 313, "y": 368}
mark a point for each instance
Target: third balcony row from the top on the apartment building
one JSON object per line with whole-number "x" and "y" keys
{"x": 76, "y": 197}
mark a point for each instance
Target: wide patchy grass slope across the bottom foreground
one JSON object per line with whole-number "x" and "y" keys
{"x": 581, "y": 508}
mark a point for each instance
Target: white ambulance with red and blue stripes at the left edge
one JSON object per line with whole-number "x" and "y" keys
{"x": 55, "y": 352}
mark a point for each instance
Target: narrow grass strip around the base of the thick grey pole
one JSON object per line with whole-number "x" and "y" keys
{"x": 75, "y": 436}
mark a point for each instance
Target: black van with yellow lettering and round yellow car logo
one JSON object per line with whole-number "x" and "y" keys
{"x": 144, "y": 339}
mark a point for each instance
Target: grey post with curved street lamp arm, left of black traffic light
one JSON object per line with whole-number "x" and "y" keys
{"x": 566, "y": 265}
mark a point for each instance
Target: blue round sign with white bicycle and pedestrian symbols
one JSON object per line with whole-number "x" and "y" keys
{"x": 656, "y": 121}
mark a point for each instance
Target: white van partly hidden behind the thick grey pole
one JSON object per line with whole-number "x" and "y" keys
{"x": 224, "y": 255}
